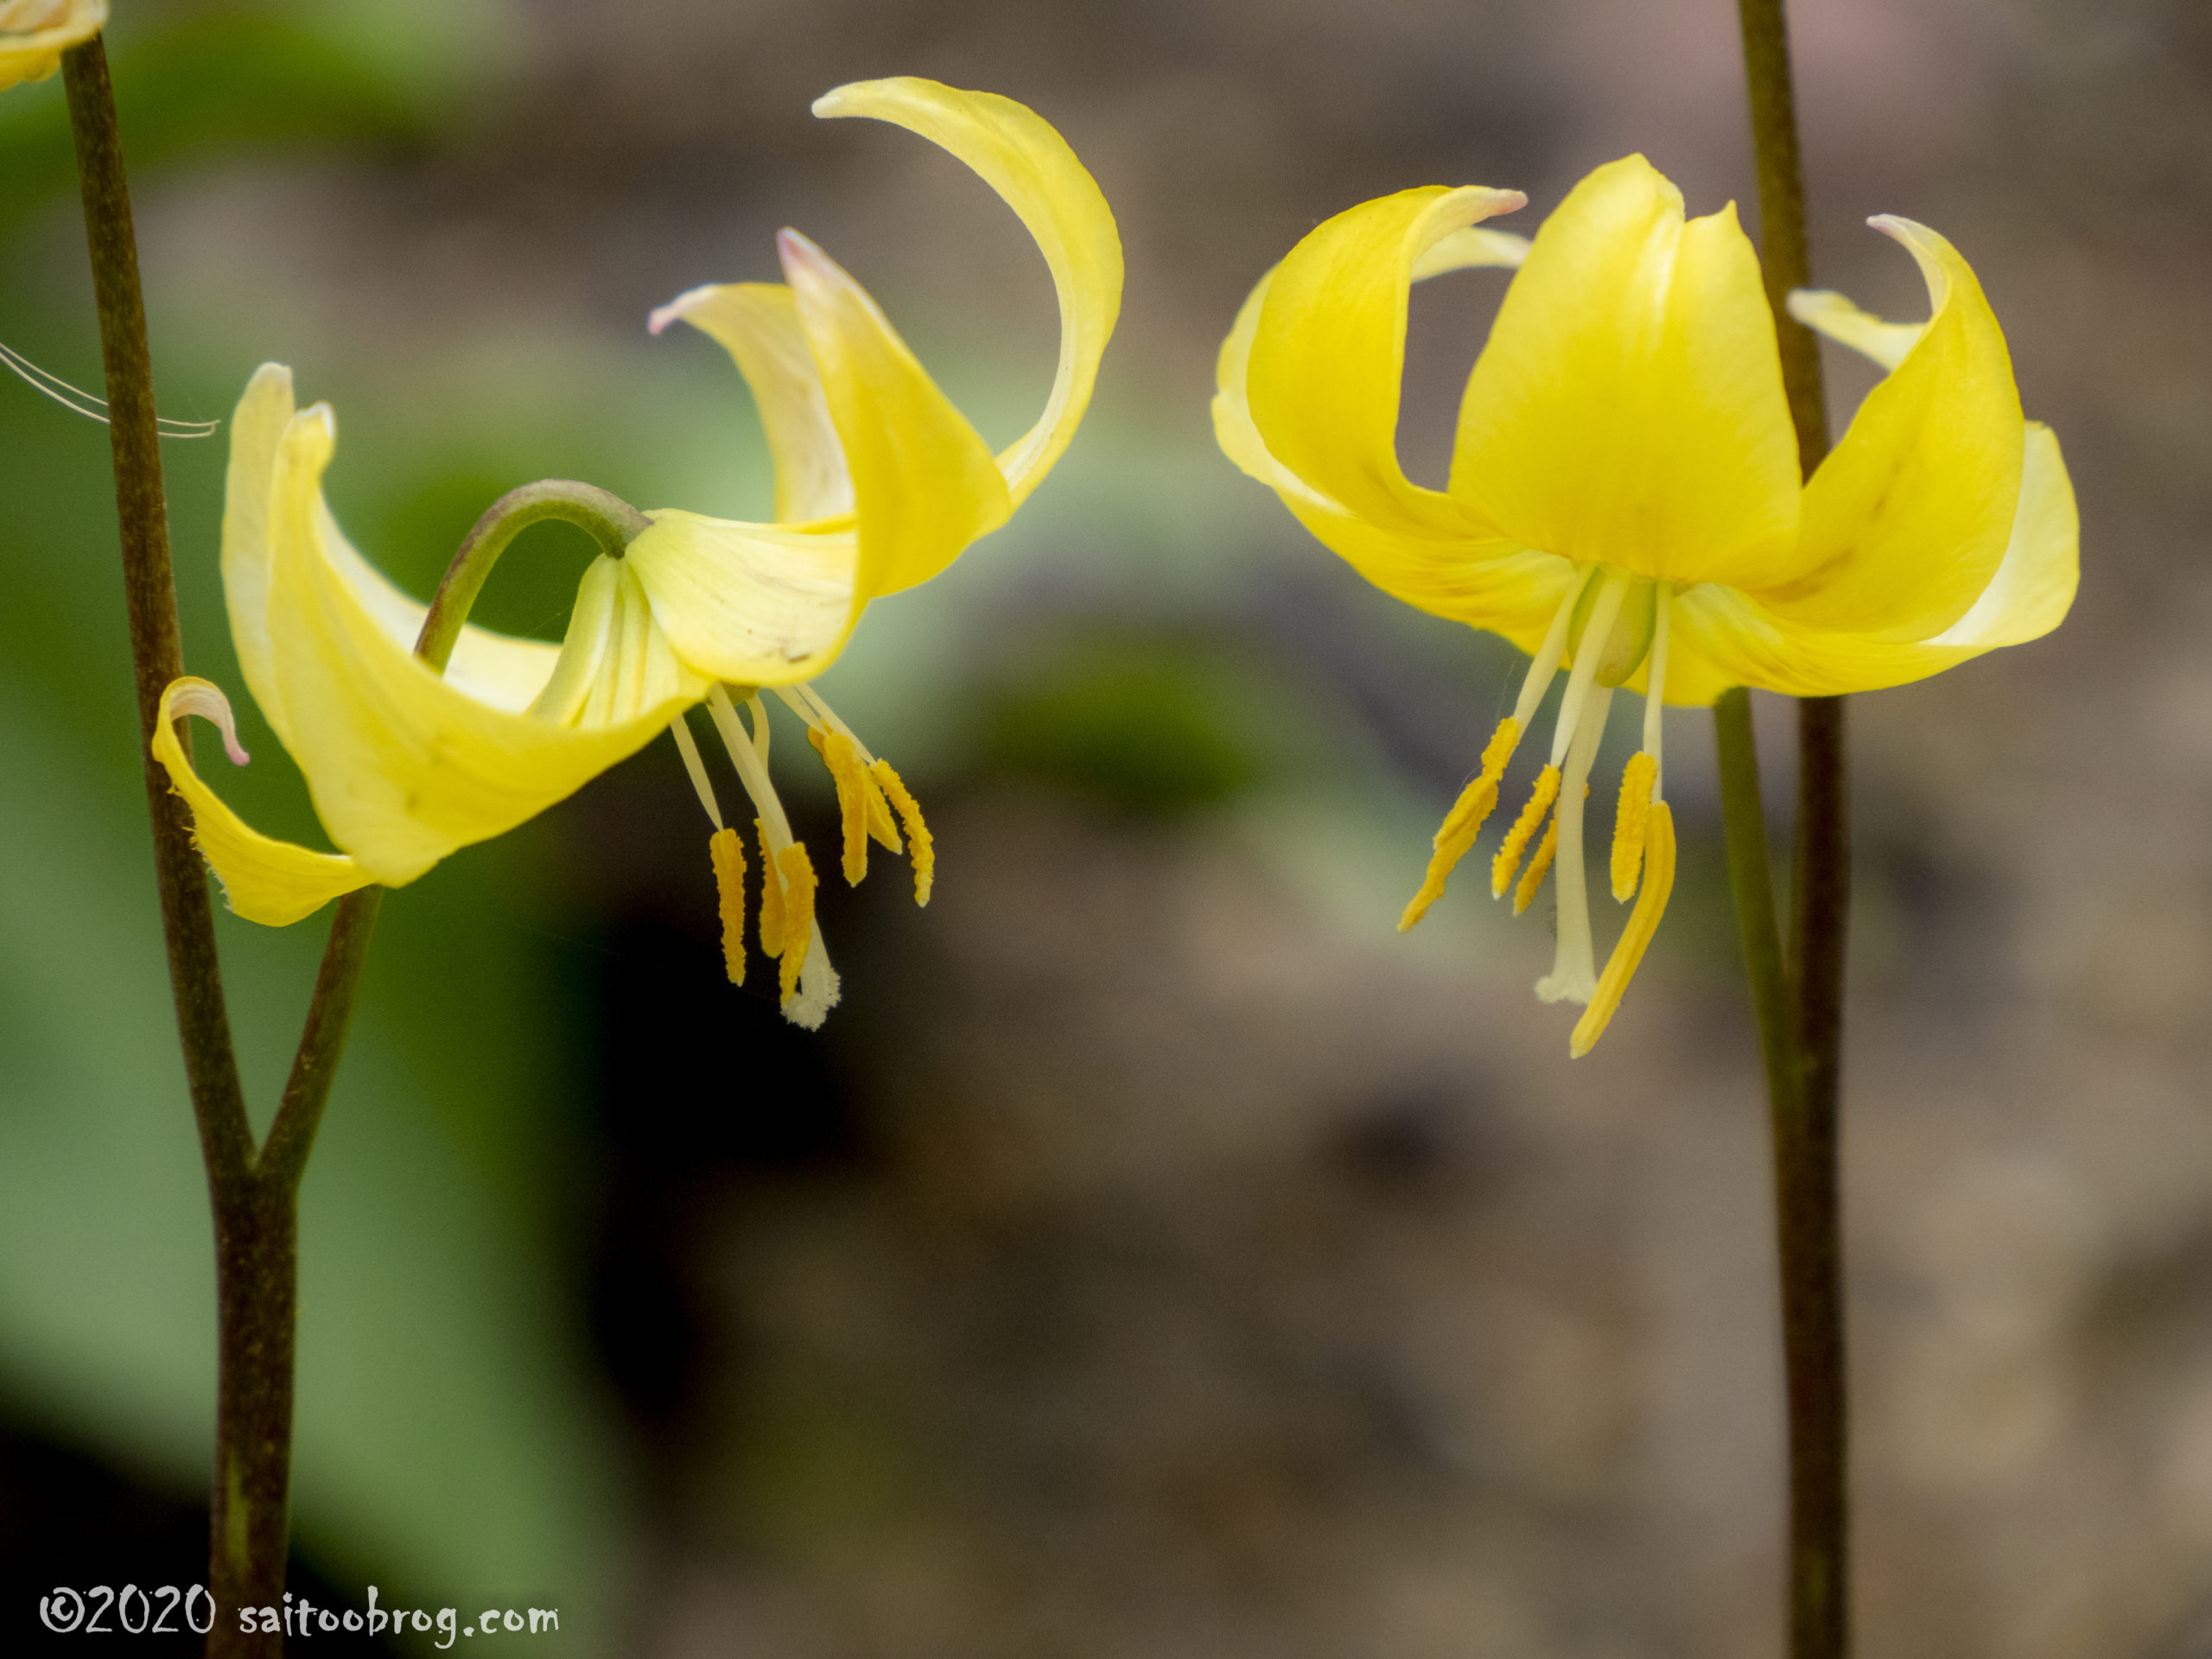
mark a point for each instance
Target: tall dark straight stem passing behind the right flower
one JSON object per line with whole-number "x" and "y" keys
{"x": 1806, "y": 1114}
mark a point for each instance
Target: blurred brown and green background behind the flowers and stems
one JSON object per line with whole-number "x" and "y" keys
{"x": 1156, "y": 1255}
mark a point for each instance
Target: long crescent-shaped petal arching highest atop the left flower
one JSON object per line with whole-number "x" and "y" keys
{"x": 1014, "y": 152}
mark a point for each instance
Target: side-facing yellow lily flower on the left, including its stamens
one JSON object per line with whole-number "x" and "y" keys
{"x": 879, "y": 486}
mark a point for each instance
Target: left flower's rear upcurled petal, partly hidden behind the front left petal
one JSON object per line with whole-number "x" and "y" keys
{"x": 492, "y": 667}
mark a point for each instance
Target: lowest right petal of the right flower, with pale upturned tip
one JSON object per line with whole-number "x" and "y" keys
{"x": 1726, "y": 638}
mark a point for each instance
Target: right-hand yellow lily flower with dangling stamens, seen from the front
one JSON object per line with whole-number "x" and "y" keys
{"x": 1627, "y": 503}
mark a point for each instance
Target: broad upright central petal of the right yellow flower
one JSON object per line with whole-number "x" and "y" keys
{"x": 1629, "y": 404}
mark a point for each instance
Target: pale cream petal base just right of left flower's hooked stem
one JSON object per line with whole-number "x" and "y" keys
{"x": 753, "y": 605}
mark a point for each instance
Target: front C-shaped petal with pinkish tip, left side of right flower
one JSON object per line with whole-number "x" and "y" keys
{"x": 1328, "y": 355}
